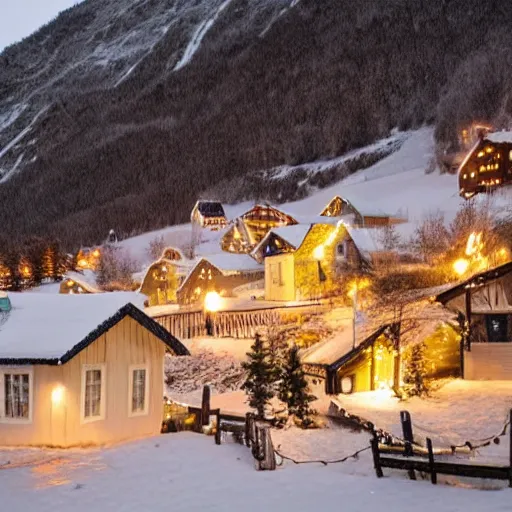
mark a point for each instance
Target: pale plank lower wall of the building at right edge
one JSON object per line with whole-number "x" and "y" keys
{"x": 488, "y": 361}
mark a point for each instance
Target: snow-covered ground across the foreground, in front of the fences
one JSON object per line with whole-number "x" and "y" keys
{"x": 188, "y": 472}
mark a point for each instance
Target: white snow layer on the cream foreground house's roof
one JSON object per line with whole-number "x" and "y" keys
{"x": 47, "y": 327}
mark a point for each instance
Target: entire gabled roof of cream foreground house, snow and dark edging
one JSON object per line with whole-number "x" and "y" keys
{"x": 52, "y": 329}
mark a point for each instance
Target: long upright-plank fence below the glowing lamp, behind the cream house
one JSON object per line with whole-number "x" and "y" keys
{"x": 232, "y": 324}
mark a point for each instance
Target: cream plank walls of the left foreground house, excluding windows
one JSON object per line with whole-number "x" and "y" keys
{"x": 125, "y": 344}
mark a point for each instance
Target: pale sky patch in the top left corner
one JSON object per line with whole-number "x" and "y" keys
{"x": 19, "y": 18}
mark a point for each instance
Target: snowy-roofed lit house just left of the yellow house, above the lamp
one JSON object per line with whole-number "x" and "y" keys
{"x": 220, "y": 273}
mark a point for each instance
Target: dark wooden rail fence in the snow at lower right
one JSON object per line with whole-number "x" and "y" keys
{"x": 409, "y": 462}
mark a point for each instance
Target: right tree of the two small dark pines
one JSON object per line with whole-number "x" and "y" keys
{"x": 294, "y": 390}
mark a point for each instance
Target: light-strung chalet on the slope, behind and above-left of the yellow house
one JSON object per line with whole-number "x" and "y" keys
{"x": 250, "y": 228}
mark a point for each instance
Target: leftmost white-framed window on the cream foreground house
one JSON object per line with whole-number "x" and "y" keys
{"x": 16, "y": 394}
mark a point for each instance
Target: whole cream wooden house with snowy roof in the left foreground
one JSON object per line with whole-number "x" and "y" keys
{"x": 80, "y": 370}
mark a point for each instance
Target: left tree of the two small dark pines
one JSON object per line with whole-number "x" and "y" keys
{"x": 259, "y": 382}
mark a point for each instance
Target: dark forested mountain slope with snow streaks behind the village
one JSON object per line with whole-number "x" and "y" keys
{"x": 120, "y": 113}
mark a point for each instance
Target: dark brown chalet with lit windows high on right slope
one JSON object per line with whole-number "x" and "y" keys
{"x": 487, "y": 165}
